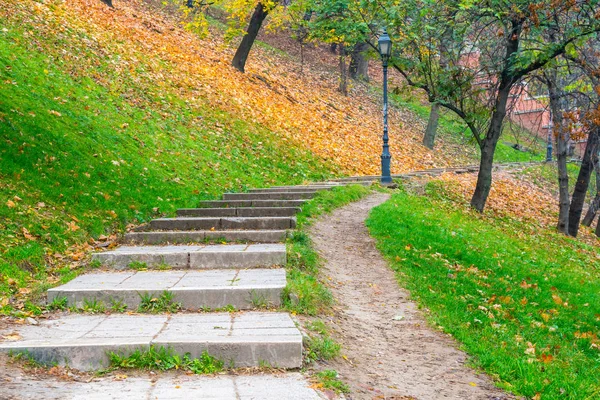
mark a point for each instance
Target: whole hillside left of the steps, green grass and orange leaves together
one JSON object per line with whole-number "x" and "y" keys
{"x": 112, "y": 116}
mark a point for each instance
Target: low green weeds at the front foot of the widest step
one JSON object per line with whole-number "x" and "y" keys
{"x": 165, "y": 359}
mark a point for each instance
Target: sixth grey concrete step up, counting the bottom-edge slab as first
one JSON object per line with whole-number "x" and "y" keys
{"x": 224, "y": 223}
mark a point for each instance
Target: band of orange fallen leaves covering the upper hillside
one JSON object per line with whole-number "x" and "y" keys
{"x": 151, "y": 49}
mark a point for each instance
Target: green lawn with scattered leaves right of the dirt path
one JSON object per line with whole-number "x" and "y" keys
{"x": 523, "y": 301}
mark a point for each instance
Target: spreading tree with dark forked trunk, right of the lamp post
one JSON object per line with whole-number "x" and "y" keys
{"x": 501, "y": 42}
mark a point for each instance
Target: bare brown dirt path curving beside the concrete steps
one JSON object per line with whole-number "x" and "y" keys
{"x": 391, "y": 352}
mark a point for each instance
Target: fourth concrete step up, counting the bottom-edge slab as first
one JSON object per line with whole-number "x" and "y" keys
{"x": 196, "y": 257}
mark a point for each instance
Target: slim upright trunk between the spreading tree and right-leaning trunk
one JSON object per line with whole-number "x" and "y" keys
{"x": 562, "y": 147}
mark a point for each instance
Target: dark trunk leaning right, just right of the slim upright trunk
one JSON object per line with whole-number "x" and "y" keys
{"x": 583, "y": 182}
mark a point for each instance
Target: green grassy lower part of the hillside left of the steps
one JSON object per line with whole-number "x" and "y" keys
{"x": 83, "y": 157}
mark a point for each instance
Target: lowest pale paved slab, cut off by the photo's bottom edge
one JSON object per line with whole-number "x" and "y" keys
{"x": 278, "y": 386}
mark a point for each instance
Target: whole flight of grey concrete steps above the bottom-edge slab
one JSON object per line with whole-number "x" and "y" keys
{"x": 178, "y": 256}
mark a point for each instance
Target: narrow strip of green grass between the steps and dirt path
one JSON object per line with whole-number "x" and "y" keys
{"x": 304, "y": 293}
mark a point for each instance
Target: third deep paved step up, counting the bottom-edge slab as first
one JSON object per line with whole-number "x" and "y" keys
{"x": 243, "y": 289}
